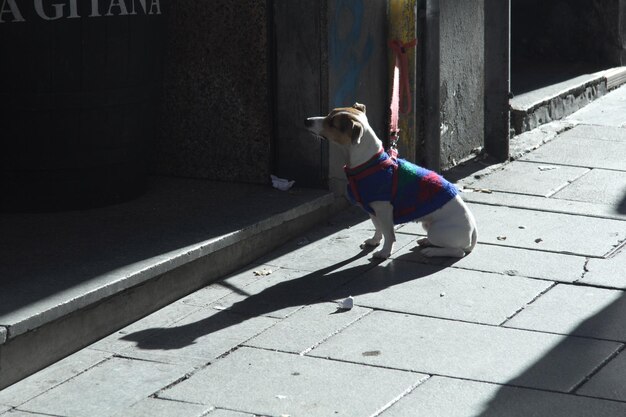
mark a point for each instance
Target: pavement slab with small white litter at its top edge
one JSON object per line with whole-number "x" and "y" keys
{"x": 306, "y": 328}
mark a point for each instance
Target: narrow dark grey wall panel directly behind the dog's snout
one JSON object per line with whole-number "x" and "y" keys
{"x": 300, "y": 89}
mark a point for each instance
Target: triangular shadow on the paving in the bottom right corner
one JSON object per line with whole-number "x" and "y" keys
{"x": 602, "y": 332}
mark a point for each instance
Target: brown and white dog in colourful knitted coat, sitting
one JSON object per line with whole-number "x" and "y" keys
{"x": 395, "y": 191}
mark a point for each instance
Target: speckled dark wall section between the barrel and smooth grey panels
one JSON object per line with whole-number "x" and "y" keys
{"x": 215, "y": 119}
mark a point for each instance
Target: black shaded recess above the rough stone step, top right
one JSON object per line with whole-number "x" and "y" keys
{"x": 555, "y": 41}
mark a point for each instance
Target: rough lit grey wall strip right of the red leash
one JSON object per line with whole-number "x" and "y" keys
{"x": 462, "y": 78}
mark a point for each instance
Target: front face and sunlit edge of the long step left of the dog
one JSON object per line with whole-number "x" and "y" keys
{"x": 45, "y": 338}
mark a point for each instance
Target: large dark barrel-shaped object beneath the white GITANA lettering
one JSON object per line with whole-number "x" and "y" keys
{"x": 78, "y": 100}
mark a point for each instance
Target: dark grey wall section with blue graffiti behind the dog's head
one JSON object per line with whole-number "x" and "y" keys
{"x": 329, "y": 53}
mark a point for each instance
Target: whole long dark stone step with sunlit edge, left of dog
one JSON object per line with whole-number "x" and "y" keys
{"x": 70, "y": 278}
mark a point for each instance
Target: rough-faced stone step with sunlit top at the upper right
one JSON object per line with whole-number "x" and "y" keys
{"x": 555, "y": 102}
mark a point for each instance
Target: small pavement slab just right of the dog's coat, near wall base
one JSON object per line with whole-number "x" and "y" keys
{"x": 530, "y": 178}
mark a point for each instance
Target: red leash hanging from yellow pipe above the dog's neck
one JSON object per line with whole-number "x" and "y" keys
{"x": 401, "y": 91}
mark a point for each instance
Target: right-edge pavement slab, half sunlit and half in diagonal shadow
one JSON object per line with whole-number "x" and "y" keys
{"x": 576, "y": 310}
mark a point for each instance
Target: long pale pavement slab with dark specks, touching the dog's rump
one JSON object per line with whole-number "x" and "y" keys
{"x": 563, "y": 233}
